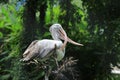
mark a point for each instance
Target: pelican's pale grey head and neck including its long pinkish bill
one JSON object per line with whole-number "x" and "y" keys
{"x": 58, "y": 33}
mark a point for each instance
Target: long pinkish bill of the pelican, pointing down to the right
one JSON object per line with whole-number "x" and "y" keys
{"x": 66, "y": 39}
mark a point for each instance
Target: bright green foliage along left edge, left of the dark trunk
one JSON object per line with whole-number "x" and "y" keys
{"x": 10, "y": 29}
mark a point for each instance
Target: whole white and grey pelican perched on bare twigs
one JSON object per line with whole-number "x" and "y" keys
{"x": 43, "y": 49}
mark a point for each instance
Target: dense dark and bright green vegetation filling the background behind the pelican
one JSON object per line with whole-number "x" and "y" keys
{"x": 94, "y": 23}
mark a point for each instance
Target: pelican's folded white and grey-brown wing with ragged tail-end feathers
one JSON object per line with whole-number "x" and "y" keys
{"x": 39, "y": 49}
